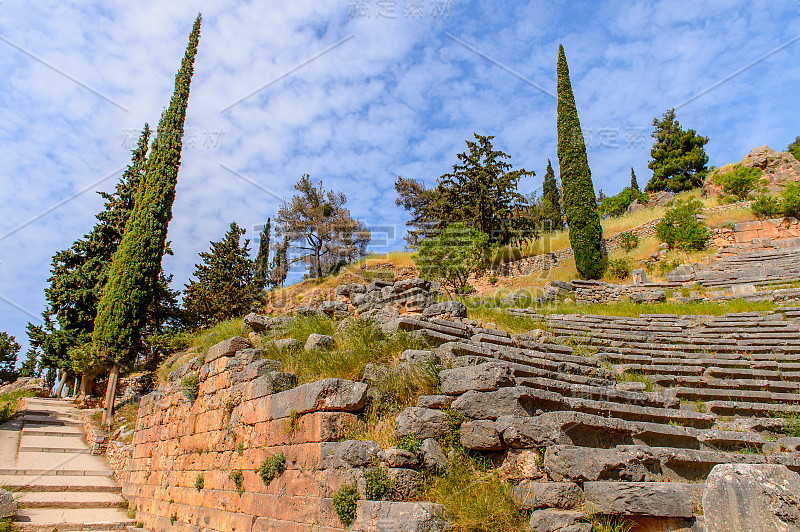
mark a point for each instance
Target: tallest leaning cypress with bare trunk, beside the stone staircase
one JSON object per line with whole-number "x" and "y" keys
{"x": 137, "y": 261}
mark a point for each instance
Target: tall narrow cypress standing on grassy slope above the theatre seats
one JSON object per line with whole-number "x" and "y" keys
{"x": 580, "y": 203}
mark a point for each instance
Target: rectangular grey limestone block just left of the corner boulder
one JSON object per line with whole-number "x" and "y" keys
{"x": 659, "y": 499}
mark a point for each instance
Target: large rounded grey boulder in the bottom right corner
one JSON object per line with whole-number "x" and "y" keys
{"x": 752, "y": 498}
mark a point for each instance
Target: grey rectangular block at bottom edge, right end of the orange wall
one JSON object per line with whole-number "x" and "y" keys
{"x": 400, "y": 517}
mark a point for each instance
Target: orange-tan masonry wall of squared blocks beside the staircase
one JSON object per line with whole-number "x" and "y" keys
{"x": 238, "y": 419}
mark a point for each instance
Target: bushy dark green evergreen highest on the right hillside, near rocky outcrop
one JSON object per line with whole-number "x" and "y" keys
{"x": 679, "y": 159}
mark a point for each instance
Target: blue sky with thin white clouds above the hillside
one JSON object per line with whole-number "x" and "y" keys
{"x": 356, "y": 93}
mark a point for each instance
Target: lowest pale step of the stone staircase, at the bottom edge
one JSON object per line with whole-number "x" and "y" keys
{"x": 50, "y": 519}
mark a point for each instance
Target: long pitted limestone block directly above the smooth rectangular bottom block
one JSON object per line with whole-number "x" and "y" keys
{"x": 576, "y": 464}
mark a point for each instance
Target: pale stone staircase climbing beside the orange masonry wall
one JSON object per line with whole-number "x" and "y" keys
{"x": 57, "y": 483}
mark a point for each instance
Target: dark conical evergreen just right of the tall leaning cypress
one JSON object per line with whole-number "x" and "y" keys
{"x": 224, "y": 281}
